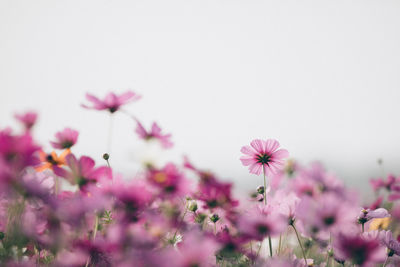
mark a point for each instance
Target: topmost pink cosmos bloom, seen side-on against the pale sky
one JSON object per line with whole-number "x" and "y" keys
{"x": 111, "y": 102}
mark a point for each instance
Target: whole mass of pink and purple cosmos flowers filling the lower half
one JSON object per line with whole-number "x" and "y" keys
{"x": 61, "y": 209}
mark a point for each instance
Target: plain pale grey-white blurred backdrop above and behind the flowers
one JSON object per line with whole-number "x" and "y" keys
{"x": 320, "y": 76}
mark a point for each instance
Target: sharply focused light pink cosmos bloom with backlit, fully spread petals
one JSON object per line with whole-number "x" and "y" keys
{"x": 263, "y": 154}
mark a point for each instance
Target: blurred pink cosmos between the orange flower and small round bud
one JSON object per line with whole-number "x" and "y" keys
{"x": 83, "y": 171}
